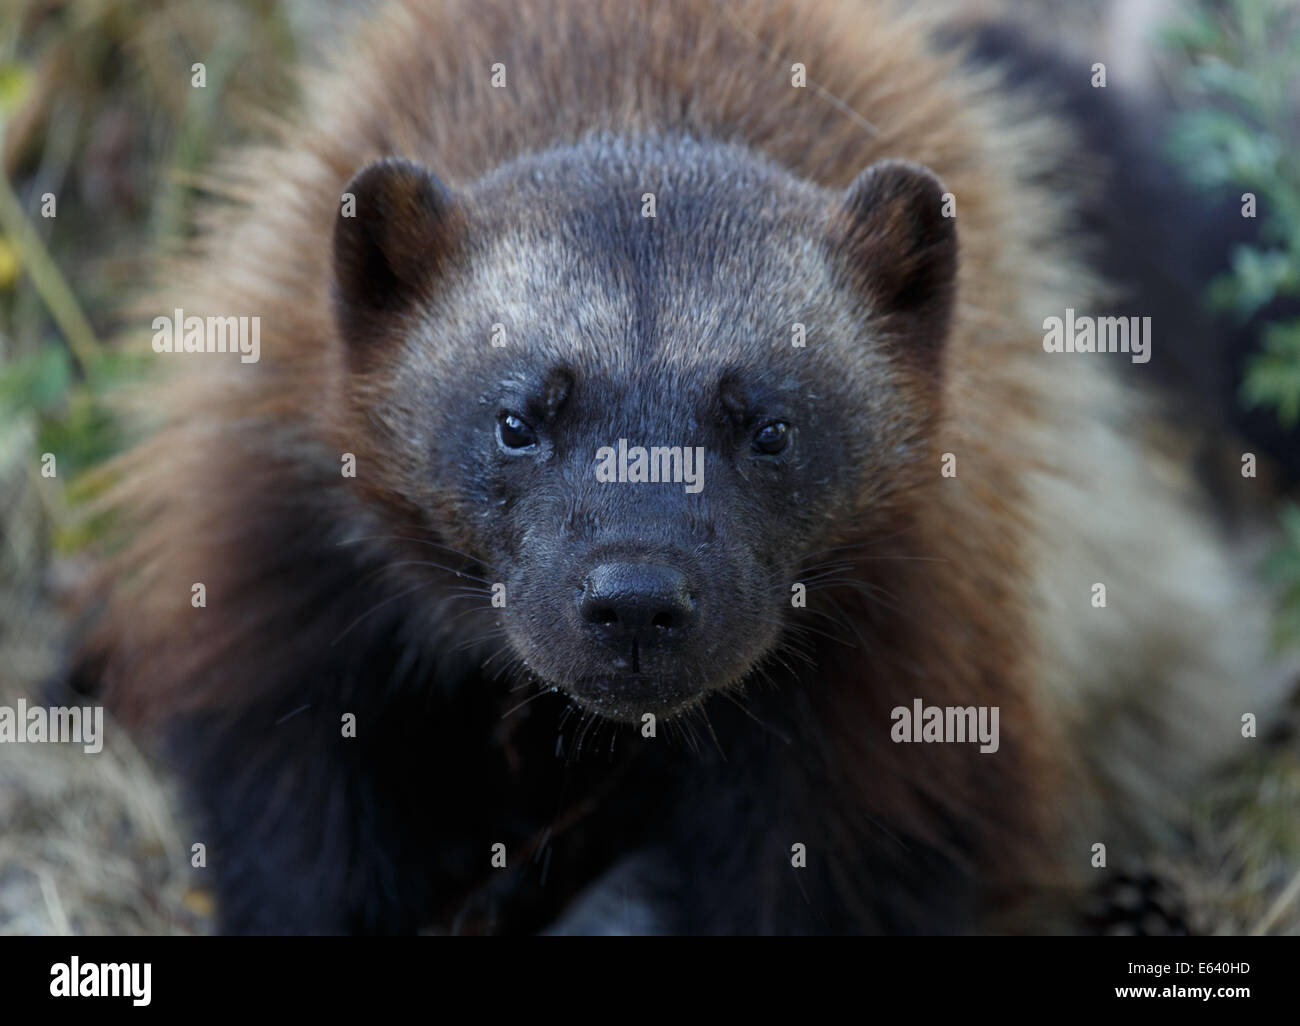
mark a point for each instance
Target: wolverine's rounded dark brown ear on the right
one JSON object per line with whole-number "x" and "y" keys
{"x": 902, "y": 249}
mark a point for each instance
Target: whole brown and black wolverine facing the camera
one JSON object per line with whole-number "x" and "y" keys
{"x": 449, "y": 678}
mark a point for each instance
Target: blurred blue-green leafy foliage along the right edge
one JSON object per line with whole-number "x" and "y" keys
{"x": 1242, "y": 76}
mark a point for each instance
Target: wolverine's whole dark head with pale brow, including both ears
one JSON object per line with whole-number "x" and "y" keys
{"x": 647, "y": 391}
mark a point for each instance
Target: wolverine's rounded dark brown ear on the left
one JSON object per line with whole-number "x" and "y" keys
{"x": 393, "y": 235}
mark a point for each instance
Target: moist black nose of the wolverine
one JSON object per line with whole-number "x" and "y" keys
{"x": 638, "y": 601}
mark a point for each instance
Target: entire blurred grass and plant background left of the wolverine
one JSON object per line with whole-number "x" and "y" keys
{"x": 98, "y": 110}
